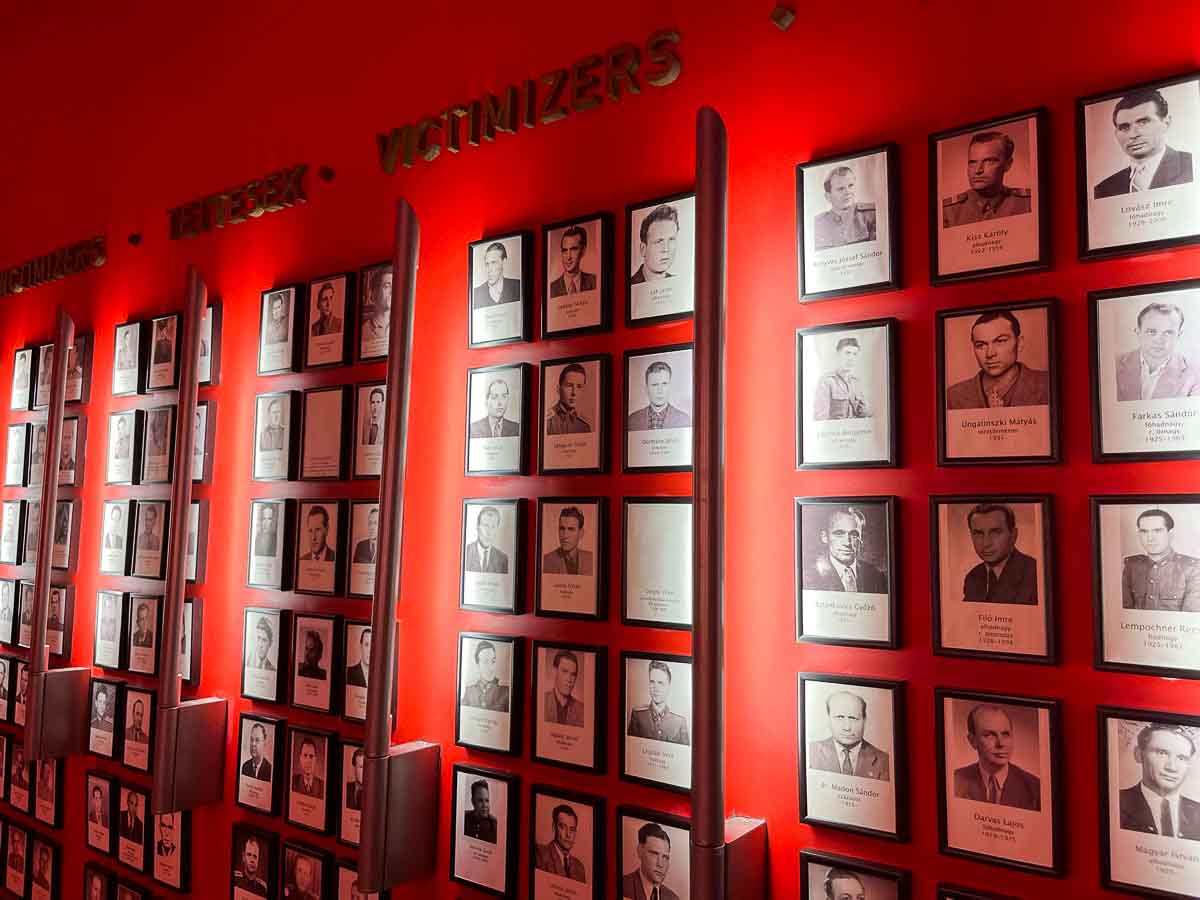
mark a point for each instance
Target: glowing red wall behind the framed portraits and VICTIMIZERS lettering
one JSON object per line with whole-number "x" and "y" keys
{"x": 111, "y": 118}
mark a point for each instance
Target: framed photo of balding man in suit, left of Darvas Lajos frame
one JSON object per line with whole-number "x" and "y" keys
{"x": 854, "y": 772}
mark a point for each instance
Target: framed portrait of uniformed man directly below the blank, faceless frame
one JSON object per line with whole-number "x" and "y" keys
{"x": 656, "y": 697}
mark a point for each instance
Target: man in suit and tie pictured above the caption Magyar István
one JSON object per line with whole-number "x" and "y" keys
{"x": 1156, "y": 805}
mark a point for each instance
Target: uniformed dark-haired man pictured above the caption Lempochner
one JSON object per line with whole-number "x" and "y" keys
{"x": 1160, "y": 579}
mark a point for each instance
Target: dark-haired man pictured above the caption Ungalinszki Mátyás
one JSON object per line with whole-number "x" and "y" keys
{"x": 1003, "y": 381}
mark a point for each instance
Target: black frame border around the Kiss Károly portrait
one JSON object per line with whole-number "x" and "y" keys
{"x": 1041, "y": 118}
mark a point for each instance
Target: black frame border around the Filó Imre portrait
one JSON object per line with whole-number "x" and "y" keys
{"x": 1048, "y": 581}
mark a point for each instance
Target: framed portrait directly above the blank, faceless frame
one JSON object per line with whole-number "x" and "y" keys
{"x": 658, "y": 410}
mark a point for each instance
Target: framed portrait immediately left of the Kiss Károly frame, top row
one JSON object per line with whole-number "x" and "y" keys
{"x": 847, "y": 207}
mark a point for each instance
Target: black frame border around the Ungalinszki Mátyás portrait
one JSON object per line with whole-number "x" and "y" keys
{"x": 1055, "y": 406}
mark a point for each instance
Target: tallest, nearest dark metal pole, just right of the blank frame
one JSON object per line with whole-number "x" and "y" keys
{"x": 709, "y": 508}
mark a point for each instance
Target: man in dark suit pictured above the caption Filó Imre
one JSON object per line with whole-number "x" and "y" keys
{"x": 1006, "y": 575}
